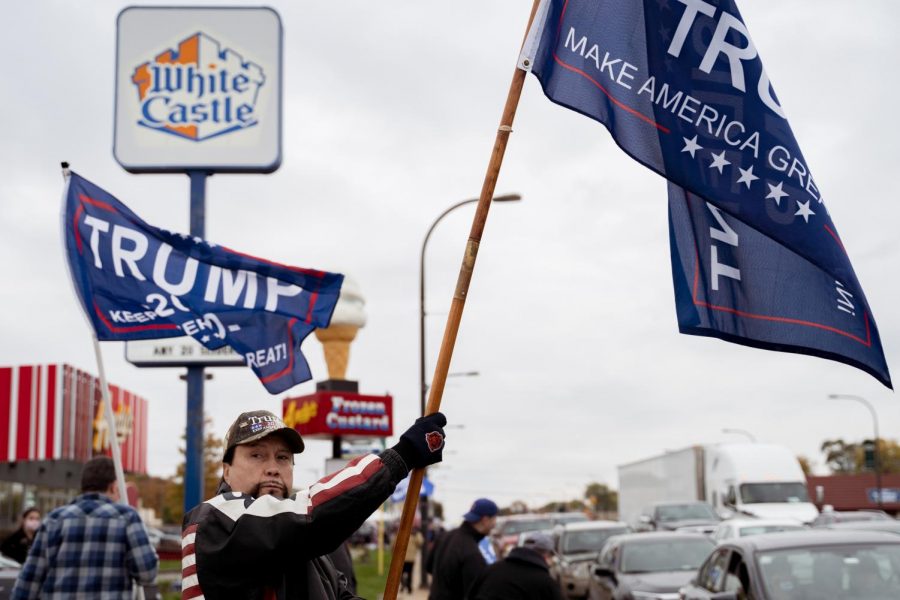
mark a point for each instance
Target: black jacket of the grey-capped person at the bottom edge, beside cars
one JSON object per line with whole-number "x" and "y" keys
{"x": 523, "y": 575}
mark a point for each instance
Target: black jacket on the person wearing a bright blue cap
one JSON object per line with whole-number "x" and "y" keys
{"x": 455, "y": 563}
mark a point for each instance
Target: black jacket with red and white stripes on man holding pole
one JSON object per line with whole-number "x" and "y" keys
{"x": 239, "y": 547}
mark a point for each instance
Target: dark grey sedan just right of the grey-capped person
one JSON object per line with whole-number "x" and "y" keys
{"x": 639, "y": 566}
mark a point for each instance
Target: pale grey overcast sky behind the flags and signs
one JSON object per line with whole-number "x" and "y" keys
{"x": 390, "y": 113}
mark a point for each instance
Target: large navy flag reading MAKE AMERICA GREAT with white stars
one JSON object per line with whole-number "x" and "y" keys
{"x": 756, "y": 258}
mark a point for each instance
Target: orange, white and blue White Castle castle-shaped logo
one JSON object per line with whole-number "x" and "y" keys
{"x": 199, "y": 91}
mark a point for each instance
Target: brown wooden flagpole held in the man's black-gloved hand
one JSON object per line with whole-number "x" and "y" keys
{"x": 451, "y": 329}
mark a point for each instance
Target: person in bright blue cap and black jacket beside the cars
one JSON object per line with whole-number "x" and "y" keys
{"x": 456, "y": 561}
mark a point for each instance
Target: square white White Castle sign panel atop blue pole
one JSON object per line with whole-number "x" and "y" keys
{"x": 198, "y": 88}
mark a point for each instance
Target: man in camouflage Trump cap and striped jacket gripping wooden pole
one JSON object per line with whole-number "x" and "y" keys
{"x": 257, "y": 539}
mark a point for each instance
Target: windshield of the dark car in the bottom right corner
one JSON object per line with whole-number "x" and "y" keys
{"x": 869, "y": 572}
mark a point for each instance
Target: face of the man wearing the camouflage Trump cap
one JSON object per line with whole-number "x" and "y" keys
{"x": 262, "y": 467}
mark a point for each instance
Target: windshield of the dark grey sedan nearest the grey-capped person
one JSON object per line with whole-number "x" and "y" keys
{"x": 648, "y": 556}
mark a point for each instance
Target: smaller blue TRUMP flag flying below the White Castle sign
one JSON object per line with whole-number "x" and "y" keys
{"x": 136, "y": 282}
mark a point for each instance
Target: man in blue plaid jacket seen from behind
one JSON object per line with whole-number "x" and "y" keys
{"x": 92, "y": 547}
